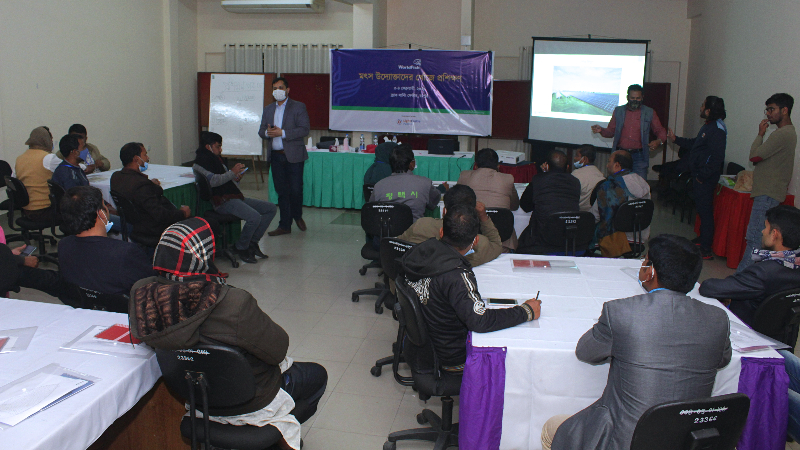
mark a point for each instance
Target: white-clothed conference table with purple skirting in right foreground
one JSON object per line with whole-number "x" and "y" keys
{"x": 516, "y": 379}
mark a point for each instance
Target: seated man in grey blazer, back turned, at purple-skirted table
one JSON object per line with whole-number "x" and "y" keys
{"x": 663, "y": 346}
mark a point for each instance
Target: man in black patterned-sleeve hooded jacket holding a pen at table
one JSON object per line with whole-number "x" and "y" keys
{"x": 447, "y": 289}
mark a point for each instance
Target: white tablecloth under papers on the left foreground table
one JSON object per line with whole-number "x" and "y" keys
{"x": 78, "y": 421}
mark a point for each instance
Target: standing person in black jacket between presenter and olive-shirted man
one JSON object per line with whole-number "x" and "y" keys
{"x": 706, "y": 158}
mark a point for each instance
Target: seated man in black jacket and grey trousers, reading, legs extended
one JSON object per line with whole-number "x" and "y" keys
{"x": 228, "y": 199}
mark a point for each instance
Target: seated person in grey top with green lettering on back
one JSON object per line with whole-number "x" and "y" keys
{"x": 402, "y": 186}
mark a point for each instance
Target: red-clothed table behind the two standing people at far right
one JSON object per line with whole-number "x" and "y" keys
{"x": 731, "y": 217}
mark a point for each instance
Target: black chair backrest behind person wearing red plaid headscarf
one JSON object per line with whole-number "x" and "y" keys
{"x": 228, "y": 375}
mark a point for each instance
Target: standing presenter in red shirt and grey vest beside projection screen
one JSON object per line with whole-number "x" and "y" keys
{"x": 630, "y": 127}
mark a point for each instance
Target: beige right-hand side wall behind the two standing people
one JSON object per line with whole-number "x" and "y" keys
{"x": 743, "y": 51}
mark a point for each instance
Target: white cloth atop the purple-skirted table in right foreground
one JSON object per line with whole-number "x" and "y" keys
{"x": 543, "y": 376}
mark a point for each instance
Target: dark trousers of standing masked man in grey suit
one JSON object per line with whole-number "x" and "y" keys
{"x": 288, "y": 180}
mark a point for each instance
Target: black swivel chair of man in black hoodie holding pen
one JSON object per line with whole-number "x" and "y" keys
{"x": 429, "y": 379}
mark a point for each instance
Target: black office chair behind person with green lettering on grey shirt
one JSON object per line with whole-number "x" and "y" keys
{"x": 380, "y": 219}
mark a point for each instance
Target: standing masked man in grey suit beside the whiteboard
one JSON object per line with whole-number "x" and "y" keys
{"x": 284, "y": 125}
